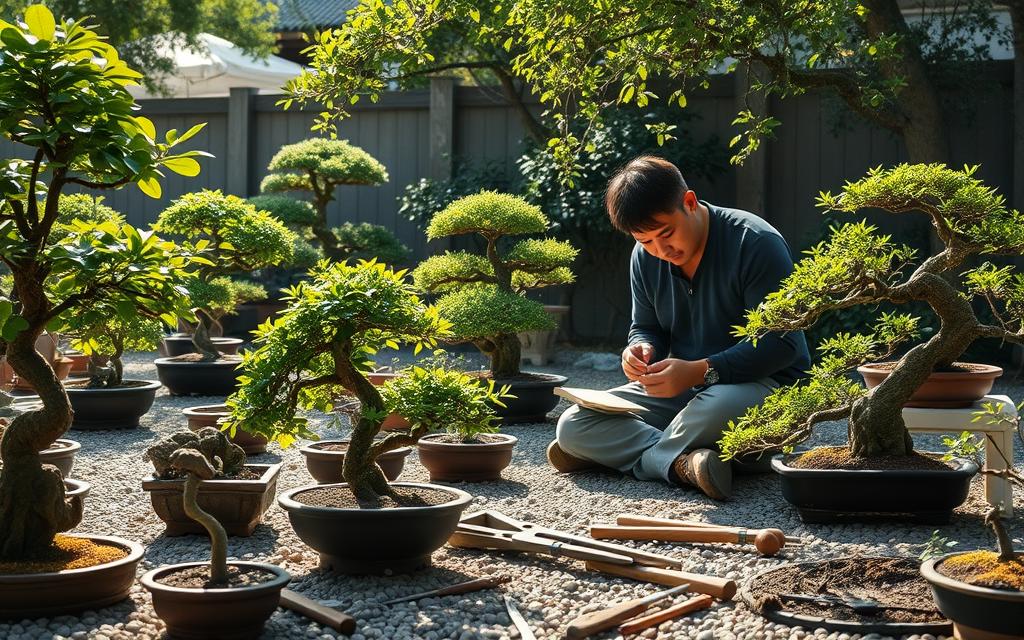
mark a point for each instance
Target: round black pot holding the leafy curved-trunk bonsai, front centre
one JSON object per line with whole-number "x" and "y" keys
{"x": 375, "y": 541}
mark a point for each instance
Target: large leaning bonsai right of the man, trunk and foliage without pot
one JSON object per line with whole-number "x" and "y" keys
{"x": 859, "y": 268}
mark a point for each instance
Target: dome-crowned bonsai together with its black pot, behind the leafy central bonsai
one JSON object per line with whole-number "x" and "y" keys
{"x": 239, "y": 239}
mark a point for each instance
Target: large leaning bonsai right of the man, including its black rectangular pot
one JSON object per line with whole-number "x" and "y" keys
{"x": 879, "y": 472}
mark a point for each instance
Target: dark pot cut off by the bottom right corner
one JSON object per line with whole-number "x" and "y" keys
{"x": 978, "y": 613}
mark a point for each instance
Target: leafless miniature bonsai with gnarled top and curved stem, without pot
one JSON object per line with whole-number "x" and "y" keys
{"x": 199, "y": 457}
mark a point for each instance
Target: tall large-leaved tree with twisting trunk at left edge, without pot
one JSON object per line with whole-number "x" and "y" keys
{"x": 63, "y": 96}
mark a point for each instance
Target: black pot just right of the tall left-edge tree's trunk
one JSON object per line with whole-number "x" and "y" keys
{"x": 118, "y": 408}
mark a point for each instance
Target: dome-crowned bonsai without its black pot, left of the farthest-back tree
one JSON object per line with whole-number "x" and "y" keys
{"x": 239, "y": 239}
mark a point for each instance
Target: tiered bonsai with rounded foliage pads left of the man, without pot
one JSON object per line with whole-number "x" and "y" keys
{"x": 483, "y": 295}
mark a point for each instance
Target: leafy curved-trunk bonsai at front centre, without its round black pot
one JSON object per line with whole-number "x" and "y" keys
{"x": 323, "y": 345}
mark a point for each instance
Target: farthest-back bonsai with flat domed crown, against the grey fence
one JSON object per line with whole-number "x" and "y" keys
{"x": 318, "y": 167}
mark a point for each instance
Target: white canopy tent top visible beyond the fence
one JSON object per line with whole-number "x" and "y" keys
{"x": 215, "y": 71}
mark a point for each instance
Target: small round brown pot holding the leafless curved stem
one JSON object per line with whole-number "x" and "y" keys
{"x": 228, "y": 614}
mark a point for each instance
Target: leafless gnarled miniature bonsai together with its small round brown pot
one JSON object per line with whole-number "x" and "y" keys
{"x": 217, "y": 600}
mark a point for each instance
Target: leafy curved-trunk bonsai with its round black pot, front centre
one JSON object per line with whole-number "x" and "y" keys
{"x": 323, "y": 344}
